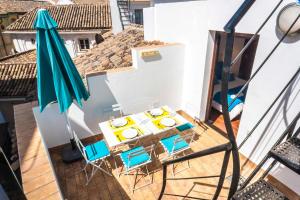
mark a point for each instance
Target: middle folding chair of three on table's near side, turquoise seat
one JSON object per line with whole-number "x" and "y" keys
{"x": 133, "y": 160}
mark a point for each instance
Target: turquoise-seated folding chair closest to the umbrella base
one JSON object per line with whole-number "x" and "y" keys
{"x": 95, "y": 155}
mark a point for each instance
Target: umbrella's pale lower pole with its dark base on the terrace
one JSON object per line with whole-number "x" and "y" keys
{"x": 70, "y": 152}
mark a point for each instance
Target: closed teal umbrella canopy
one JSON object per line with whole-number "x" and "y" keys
{"x": 57, "y": 77}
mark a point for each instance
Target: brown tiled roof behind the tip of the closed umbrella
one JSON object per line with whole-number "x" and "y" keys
{"x": 84, "y": 17}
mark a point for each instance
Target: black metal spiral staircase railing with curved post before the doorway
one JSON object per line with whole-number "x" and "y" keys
{"x": 231, "y": 147}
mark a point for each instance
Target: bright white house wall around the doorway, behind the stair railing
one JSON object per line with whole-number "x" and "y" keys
{"x": 189, "y": 22}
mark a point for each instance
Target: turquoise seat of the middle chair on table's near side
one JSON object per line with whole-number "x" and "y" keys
{"x": 134, "y": 160}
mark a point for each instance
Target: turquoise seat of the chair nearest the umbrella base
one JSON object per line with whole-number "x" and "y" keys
{"x": 96, "y": 151}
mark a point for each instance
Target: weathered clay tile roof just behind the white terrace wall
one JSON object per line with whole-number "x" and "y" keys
{"x": 114, "y": 52}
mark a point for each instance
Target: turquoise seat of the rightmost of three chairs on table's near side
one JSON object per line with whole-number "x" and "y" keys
{"x": 168, "y": 144}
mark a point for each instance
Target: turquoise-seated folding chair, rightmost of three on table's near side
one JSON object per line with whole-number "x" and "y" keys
{"x": 176, "y": 144}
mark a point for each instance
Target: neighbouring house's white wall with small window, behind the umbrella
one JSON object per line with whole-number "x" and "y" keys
{"x": 23, "y": 42}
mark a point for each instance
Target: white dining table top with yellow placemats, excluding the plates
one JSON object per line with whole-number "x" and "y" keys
{"x": 149, "y": 125}
